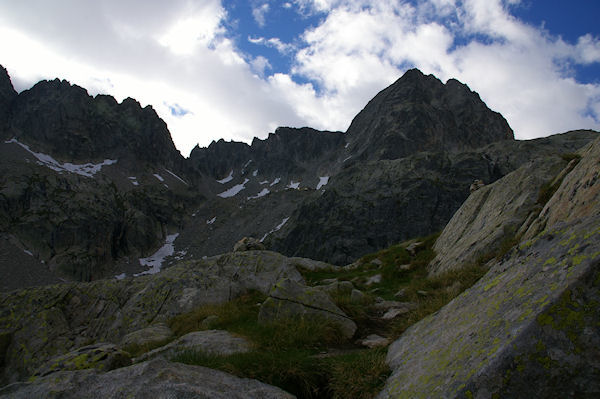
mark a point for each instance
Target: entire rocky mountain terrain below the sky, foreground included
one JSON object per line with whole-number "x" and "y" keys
{"x": 422, "y": 253}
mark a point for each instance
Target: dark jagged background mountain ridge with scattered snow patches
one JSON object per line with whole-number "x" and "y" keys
{"x": 401, "y": 170}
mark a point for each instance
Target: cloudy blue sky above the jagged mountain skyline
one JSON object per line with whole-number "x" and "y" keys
{"x": 239, "y": 69}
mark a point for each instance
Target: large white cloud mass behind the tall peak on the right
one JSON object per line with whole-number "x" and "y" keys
{"x": 519, "y": 70}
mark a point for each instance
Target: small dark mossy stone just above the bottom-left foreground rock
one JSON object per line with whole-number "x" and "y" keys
{"x": 102, "y": 356}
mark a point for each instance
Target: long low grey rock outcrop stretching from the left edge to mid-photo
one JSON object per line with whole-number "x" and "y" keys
{"x": 41, "y": 323}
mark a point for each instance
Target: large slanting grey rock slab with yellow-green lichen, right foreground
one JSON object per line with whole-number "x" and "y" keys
{"x": 528, "y": 328}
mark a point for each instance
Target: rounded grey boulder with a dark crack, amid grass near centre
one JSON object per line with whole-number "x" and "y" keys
{"x": 289, "y": 299}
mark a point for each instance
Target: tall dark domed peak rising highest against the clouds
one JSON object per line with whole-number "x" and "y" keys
{"x": 420, "y": 113}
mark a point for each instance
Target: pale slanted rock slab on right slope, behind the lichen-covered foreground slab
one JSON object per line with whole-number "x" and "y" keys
{"x": 492, "y": 214}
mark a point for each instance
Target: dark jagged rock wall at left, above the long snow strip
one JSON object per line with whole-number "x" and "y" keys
{"x": 61, "y": 119}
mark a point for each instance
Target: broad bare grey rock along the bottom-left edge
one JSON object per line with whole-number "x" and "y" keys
{"x": 153, "y": 379}
